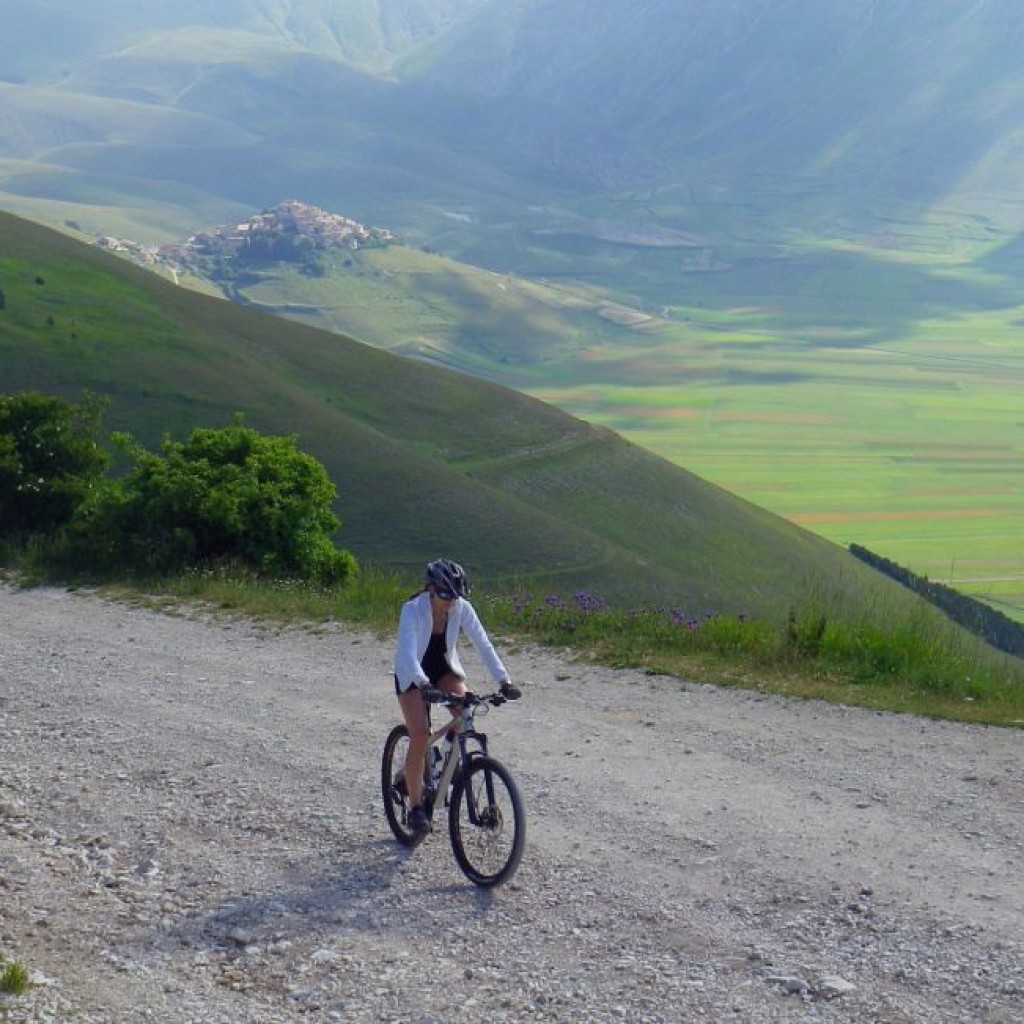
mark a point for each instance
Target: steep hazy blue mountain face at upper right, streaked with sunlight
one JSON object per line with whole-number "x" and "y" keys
{"x": 833, "y": 107}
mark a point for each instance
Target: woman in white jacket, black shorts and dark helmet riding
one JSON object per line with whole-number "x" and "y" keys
{"x": 428, "y": 656}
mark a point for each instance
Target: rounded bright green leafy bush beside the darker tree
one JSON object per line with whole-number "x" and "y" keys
{"x": 228, "y": 495}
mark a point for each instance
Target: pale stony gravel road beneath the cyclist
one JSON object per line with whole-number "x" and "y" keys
{"x": 191, "y": 831}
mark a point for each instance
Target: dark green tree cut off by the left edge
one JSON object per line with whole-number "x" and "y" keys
{"x": 51, "y": 460}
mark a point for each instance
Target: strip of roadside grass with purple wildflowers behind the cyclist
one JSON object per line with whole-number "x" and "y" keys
{"x": 913, "y": 664}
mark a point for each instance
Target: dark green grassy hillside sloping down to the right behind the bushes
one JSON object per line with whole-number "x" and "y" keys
{"x": 426, "y": 461}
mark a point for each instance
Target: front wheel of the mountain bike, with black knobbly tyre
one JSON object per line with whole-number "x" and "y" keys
{"x": 487, "y": 823}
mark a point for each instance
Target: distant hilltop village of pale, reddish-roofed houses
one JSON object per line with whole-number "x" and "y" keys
{"x": 289, "y": 232}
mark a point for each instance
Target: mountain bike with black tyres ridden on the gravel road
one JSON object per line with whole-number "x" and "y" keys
{"x": 487, "y": 817}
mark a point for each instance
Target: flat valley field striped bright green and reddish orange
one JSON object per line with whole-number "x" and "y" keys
{"x": 913, "y": 448}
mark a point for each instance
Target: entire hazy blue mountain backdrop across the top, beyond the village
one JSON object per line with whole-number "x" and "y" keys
{"x": 782, "y": 116}
